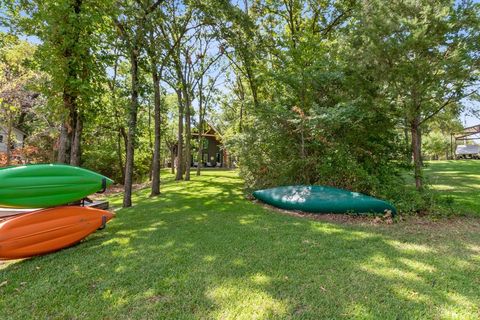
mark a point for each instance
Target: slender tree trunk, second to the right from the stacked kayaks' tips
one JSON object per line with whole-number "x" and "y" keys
{"x": 158, "y": 120}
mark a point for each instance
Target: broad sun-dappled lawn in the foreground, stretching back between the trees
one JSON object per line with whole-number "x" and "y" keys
{"x": 201, "y": 251}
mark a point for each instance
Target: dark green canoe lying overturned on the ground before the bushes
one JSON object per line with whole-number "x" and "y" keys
{"x": 320, "y": 199}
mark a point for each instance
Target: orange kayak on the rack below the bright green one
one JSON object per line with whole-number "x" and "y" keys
{"x": 48, "y": 230}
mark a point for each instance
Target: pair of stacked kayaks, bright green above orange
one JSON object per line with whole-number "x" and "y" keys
{"x": 57, "y": 225}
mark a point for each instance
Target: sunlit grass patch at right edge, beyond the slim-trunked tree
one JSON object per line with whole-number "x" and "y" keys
{"x": 458, "y": 184}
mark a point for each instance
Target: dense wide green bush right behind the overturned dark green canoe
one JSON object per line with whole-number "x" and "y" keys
{"x": 360, "y": 157}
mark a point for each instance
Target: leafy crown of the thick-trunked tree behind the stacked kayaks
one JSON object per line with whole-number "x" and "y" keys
{"x": 69, "y": 34}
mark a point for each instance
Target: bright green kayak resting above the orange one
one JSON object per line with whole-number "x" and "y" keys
{"x": 47, "y": 185}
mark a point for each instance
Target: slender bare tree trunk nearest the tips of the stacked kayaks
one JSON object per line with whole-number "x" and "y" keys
{"x": 132, "y": 128}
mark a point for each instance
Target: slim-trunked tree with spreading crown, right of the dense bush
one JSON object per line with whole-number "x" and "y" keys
{"x": 427, "y": 55}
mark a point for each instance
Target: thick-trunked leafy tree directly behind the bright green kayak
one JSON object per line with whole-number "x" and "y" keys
{"x": 67, "y": 32}
